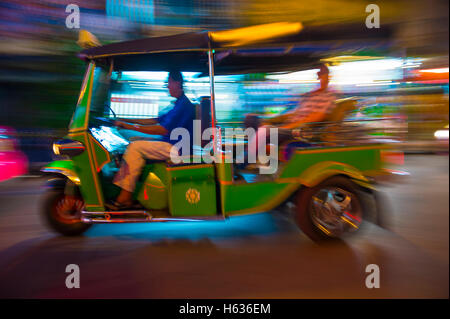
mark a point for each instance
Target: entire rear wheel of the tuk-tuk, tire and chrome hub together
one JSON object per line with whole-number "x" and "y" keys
{"x": 330, "y": 210}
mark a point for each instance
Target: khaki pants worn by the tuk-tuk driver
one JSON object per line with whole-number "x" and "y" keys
{"x": 134, "y": 160}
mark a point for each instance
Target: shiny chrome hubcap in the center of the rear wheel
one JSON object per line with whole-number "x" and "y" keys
{"x": 335, "y": 211}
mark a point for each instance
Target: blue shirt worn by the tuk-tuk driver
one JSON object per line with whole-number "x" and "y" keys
{"x": 181, "y": 115}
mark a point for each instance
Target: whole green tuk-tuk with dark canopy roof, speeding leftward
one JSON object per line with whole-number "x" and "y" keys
{"x": 328, "y": 181}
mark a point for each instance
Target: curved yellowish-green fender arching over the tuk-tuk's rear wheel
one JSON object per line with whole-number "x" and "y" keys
{"x": 317, "y": 173}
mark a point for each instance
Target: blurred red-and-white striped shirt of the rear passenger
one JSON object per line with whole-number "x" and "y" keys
{"x": 313, "y": 102}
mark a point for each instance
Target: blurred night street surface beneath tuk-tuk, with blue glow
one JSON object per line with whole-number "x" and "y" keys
{"x": 254, "y": 256}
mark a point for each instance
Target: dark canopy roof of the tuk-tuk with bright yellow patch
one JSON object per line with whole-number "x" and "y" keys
{"x": 264, "y": 48}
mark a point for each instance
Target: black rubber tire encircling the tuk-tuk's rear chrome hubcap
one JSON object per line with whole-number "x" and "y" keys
{"x": 305, "y": 214}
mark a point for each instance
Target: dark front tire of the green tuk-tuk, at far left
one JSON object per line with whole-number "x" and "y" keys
{"x": 61, "y": 221}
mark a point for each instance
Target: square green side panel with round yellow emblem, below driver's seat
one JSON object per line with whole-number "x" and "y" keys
{"x": 192, "y": 190}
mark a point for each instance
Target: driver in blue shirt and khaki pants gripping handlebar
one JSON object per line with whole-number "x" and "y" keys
{"x": 181, "y": 115}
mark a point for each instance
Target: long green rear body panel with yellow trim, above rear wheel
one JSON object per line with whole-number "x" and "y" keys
{"x": 307, "y": 167}
